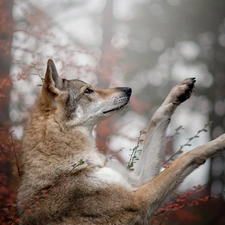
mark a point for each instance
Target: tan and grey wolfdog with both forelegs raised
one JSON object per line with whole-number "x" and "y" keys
{"x": 67, "y": 181}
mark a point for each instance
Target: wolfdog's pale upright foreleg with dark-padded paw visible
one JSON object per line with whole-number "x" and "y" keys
{"x": 148, "y": 166}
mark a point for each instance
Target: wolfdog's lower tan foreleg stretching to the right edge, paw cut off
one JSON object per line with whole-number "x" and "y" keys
{"x": 152, "y": 194}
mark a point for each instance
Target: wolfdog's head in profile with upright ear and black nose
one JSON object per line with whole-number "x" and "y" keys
{"x": 78, "y": 102}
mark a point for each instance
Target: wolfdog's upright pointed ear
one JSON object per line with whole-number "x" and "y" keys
{"x": 52, "y": 82}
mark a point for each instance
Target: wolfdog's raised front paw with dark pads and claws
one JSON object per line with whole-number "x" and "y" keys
{"x": 182, "y": 91}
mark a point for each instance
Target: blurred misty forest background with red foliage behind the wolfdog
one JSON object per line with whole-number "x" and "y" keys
{"x": 149, "y": 45}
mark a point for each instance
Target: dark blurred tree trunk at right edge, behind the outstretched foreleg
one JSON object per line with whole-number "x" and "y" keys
{"x": 216, "y": 182}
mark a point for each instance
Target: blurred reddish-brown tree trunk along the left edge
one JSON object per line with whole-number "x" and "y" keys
{"x": 6, "y": 153}
